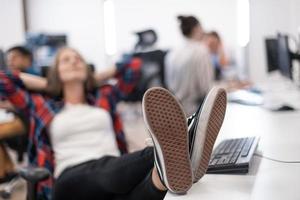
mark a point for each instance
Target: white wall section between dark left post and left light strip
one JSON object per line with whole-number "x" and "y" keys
{"x": 81, "y": 20}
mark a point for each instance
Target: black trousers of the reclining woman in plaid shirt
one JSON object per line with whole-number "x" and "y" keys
{"x": 111, "y": 178}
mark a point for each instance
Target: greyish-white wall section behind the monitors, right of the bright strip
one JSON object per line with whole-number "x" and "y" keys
{"x": 267, "y": 18}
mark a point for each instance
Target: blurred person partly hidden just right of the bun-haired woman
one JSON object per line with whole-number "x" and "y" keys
{"x": 219, "y": 59}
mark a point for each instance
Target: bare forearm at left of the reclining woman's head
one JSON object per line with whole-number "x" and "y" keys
{"x": 33, "y": 82}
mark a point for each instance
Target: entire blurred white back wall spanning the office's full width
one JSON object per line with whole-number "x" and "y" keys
{"x": 104, "y": 29}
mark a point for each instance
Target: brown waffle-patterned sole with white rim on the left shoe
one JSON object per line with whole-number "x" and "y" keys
{"x": 166, "y": 122}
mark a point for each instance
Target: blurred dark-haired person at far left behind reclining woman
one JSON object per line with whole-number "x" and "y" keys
{"x": 21, "y": 59}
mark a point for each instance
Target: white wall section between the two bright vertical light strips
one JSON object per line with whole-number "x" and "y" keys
{"x": 136, "y": 15}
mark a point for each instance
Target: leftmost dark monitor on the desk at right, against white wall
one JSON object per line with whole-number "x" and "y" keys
{"x": 272, "y": 54}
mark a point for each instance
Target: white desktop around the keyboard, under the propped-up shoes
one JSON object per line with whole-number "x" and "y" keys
{"x": 279, "y": 138}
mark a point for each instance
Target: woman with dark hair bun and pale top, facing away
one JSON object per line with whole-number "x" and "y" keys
{"x": 189, "y": 71}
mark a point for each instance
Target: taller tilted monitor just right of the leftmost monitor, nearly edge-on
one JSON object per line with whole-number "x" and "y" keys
{"x": 284, "y": 56}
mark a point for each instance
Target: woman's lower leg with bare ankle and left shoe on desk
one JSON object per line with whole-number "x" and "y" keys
{"x": 167, "y": 126}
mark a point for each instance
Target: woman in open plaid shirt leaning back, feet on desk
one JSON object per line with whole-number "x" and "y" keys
{"x": 80, "y": 138}
